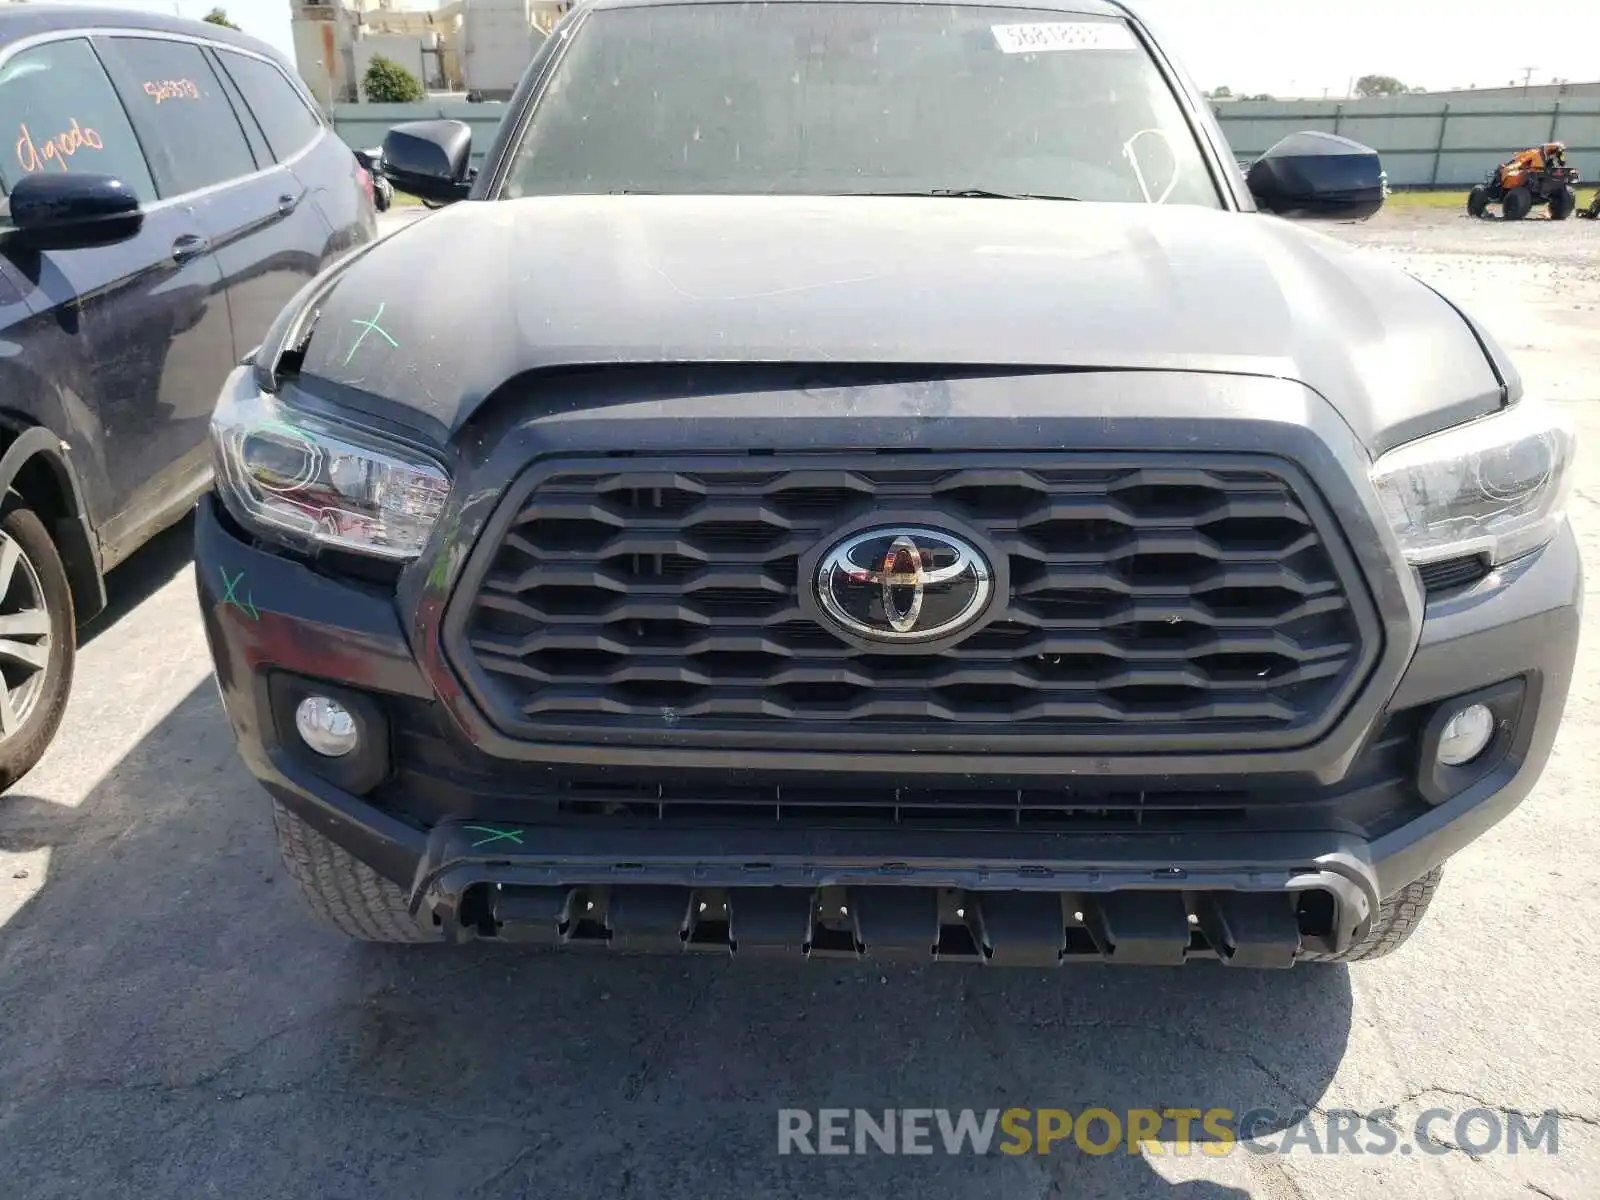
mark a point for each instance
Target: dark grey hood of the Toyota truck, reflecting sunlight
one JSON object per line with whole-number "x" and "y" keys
{"x": 447, "y": 311}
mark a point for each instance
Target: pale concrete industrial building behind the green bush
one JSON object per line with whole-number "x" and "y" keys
{"x": 455, "y": 47}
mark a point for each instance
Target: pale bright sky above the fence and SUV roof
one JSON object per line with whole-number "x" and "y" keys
{"x": 1281, "y": 47}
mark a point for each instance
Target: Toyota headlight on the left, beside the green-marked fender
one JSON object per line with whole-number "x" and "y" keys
{"x": 313, "y": 482}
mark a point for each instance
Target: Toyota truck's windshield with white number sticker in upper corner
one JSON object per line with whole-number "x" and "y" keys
{"x": 858, "y": 98}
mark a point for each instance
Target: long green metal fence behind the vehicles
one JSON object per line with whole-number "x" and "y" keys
{"x": 1425, "y": 143}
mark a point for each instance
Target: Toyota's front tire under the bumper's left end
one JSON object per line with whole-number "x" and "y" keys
{"x": 342, "y": 890}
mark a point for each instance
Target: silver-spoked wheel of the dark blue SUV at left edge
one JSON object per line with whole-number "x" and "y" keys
{"x": 38, "y": 642}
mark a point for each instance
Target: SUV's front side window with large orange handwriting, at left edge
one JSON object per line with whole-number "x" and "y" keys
{"x": 62, "y": 111}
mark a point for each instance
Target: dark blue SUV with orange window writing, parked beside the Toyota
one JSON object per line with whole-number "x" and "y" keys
{"x": 169, "y": 186}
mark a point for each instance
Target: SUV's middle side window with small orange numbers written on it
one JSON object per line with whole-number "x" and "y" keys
{"x": 183, "y": 116}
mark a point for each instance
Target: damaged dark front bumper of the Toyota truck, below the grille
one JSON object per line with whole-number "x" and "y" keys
{"x": 478, "y": 857}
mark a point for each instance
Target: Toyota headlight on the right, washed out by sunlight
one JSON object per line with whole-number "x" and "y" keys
{"x": 1497, "y": 486}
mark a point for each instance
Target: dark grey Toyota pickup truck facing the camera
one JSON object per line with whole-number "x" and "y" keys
{"x": 894, "y": 490}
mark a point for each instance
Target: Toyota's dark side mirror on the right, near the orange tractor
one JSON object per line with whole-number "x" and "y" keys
{"x": 1319, "y": 177}
